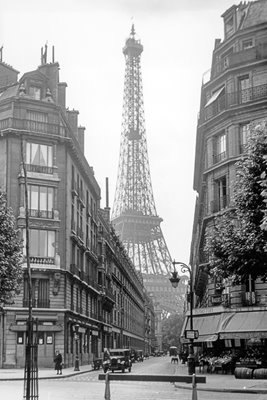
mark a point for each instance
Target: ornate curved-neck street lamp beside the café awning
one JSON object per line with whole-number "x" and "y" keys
{"x": 175, "y": 279}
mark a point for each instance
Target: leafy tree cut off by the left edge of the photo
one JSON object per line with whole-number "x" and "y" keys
{"x": 10, "y": 253}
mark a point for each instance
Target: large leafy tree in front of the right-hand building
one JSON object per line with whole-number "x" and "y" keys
{"x": 236, "y": 243}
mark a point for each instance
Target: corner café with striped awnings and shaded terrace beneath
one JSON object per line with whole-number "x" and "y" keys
{"x": 228, "y": 339}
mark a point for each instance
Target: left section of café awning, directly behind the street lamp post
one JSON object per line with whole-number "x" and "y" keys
{"x": 206, "y": 325}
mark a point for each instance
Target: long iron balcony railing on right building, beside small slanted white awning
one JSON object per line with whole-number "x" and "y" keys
{"x": 226, "y": 101}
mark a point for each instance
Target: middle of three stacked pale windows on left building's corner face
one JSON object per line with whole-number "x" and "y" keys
{"x": 41, "y": 201}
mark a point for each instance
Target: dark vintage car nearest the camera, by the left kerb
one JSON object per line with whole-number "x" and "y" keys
{"x": 118, "y": 360}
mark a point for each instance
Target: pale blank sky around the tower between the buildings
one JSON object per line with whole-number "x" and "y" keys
{"x": 88, "y": 35}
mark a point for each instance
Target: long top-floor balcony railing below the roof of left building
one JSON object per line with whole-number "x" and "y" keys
{"x": 32, "y": 126}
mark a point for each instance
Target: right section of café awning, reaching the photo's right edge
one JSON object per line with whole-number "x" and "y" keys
{"x": 244, "y": 325}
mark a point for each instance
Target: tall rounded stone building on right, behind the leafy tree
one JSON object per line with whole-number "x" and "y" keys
{"x": 233, "y": 96}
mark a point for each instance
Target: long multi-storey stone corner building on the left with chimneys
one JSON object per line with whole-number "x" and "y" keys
{"x": 86, "y": 293}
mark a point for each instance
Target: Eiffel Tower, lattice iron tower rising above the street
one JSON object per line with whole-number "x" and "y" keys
{"x": 134, "y": 214}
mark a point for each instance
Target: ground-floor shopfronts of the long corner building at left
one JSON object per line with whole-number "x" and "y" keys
{"x": 76, "y": 337}
